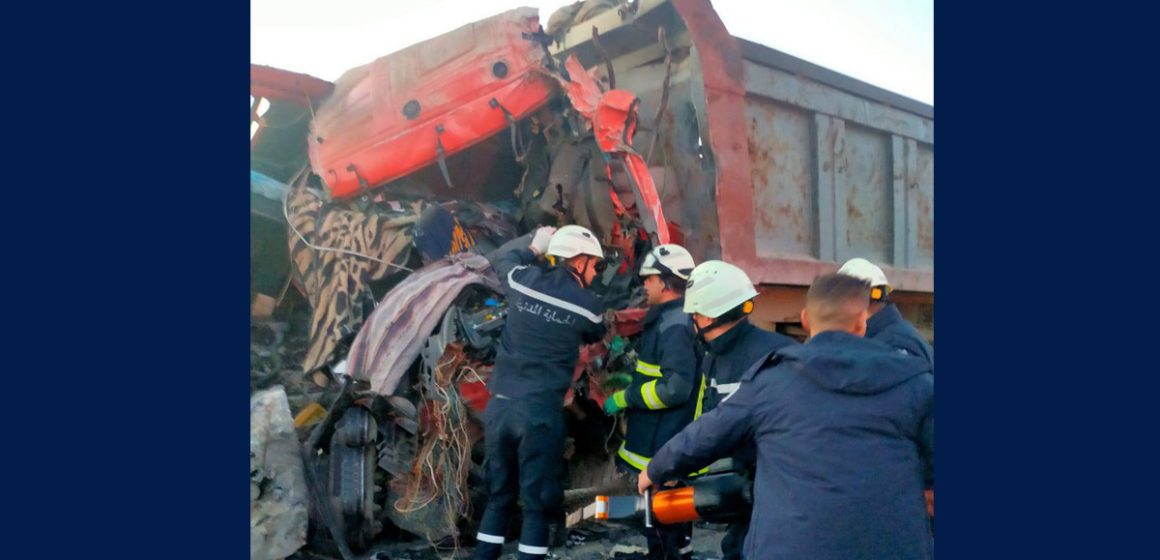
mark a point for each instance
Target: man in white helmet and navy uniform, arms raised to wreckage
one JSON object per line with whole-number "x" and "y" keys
{"x": 552, "y": 312}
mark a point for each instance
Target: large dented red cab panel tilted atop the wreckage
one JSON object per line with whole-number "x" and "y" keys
{"x": 422, "y": 105}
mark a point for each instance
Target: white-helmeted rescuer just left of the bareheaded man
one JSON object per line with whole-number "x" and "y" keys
{"x": 721, "y": 297}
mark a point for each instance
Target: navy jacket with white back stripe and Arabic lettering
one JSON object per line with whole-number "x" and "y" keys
{"x": 550, "y": 316}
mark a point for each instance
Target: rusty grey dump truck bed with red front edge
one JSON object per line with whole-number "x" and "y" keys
{"x": 767, "y": 161}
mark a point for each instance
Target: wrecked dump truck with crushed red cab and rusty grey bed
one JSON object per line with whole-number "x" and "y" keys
{"x": 374, "y": 198}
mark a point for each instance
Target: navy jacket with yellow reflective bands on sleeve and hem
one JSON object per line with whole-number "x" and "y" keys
{"x": 662, "y": 398}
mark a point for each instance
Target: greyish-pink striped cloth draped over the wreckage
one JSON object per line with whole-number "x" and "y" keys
{"x": 397, "y": 331}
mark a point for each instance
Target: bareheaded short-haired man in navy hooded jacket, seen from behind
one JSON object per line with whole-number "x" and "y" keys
{"x": 844, "y": 427}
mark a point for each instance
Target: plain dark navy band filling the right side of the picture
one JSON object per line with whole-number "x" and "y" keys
{"x": 1045, "y": 237}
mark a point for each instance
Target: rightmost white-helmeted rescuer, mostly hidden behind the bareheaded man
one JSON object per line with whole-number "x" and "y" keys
{"x": 887, "y": 323}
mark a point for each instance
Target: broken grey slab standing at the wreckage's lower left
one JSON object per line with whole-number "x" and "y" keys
{"x": 278, "y": 482}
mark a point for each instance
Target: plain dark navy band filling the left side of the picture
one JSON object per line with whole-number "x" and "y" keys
{"x": 126, "y": 280}
